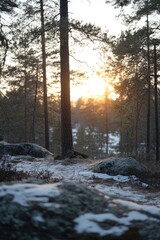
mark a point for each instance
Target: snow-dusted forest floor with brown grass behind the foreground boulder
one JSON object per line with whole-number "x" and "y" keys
{"x": 142, "y": 191}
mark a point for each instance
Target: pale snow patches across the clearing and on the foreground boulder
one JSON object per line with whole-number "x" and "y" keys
{"x": 127, "y": 191}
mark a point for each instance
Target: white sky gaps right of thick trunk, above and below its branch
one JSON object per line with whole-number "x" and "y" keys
{"x": 103, "y": 15}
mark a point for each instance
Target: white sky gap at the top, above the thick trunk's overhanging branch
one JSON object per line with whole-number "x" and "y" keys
{"x": 96, "y": 12}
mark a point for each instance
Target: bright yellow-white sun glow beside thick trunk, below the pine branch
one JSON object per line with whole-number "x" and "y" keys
{"x": 95, "y": 84}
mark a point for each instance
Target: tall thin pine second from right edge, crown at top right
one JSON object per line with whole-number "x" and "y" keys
{"x": 144, "y": 9}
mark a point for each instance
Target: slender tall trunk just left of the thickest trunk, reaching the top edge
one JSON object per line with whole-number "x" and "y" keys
{"x": 45, "y": 100}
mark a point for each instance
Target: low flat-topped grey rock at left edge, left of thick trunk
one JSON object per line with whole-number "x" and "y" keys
{"x": 30, "y": 149}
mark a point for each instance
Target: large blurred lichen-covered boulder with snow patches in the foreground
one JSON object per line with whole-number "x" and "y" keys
{"x": 70, "y": 212}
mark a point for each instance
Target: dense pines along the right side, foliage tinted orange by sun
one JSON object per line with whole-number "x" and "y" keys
{"x": 136, "y": 64}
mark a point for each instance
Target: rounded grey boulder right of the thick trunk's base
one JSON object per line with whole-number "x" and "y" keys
{"x": 121, "y": 166}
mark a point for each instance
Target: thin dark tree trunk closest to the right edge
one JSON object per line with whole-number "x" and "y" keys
{"x": 156, "y": 103}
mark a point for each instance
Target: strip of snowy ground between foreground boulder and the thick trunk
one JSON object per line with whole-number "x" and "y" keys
{"x": 118, "y": 186}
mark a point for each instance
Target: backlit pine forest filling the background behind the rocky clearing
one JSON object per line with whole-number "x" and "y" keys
{"x": 35, "y": 78}
